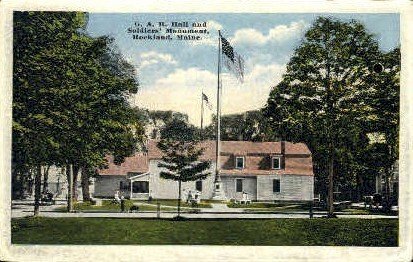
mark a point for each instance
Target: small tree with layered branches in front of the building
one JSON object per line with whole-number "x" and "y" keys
{"x": 181, "y": 163}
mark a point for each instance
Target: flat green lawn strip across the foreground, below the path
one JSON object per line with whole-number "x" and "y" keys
{"x": 289, "y": 232}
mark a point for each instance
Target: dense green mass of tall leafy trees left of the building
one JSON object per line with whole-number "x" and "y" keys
{"x": 70, "y": 99}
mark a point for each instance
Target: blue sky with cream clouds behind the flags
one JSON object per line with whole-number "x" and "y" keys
{"x": 172, "y": 74}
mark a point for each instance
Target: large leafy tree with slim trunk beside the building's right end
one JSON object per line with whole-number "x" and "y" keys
{"x": 326, "y": 97}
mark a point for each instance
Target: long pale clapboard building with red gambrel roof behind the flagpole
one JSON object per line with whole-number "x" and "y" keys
{"x": 266, "y": 171}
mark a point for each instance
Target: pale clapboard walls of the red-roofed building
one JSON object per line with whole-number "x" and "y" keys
{"x": 260, "y": 188}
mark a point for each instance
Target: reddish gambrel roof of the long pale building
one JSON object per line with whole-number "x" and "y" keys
{"x": 257, "y": 155}
